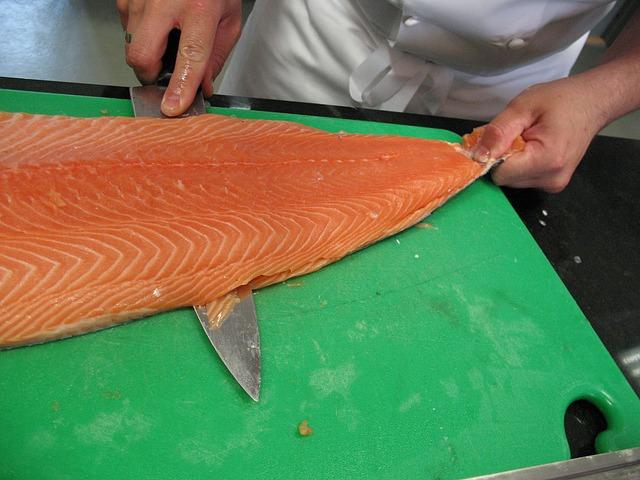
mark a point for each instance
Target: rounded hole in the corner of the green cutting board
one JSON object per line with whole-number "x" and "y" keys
{"x": 583, "y": 422}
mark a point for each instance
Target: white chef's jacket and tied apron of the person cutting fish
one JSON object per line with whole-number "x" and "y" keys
{"x": 456, "y": 58}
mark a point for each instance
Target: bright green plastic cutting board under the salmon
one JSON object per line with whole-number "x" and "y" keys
{"x": 442, "y": 352}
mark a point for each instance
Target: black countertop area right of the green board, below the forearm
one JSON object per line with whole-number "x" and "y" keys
{"x": 592, "y": 238}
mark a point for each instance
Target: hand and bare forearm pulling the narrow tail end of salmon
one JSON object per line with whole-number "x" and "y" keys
{"x": 558, "y": 120}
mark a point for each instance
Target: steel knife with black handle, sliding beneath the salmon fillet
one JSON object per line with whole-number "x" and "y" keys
{"x": 237, "y": 339}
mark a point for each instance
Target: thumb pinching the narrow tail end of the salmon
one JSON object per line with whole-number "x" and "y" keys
{"x": 498, "y": 135}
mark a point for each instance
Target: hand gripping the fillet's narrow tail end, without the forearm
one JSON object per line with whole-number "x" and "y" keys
{"x": 557, "y": 120}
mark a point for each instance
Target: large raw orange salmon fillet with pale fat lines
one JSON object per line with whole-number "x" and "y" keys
{"x": 110, "y": 219}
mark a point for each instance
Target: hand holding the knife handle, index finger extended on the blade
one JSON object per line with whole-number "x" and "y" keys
{"x": 209, "y": 30}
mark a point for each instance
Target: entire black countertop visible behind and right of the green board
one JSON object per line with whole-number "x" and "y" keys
{"x": 590, "y": 232}
